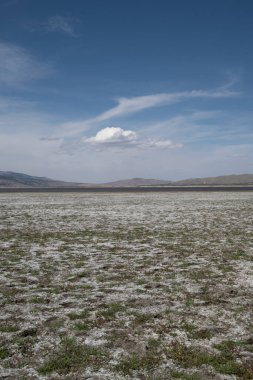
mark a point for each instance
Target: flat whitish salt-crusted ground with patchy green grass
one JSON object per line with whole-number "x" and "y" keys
{"x": 126, "y": 286}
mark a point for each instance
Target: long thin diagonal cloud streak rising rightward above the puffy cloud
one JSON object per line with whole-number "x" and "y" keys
{"x": 127, "y": 106}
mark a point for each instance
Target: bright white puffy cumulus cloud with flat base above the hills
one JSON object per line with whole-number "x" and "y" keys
{"x": 120, "y": 138}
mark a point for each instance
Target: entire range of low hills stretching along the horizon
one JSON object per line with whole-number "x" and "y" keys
{"x": 20, "y": 180}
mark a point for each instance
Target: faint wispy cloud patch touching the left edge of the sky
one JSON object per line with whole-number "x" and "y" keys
{"x": 18, "y": 66}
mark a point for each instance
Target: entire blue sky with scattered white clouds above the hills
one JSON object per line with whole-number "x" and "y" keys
{"x": 101, "y": 90}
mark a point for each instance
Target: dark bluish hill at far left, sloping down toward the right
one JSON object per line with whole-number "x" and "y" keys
{"x": 11, "y": 179}
